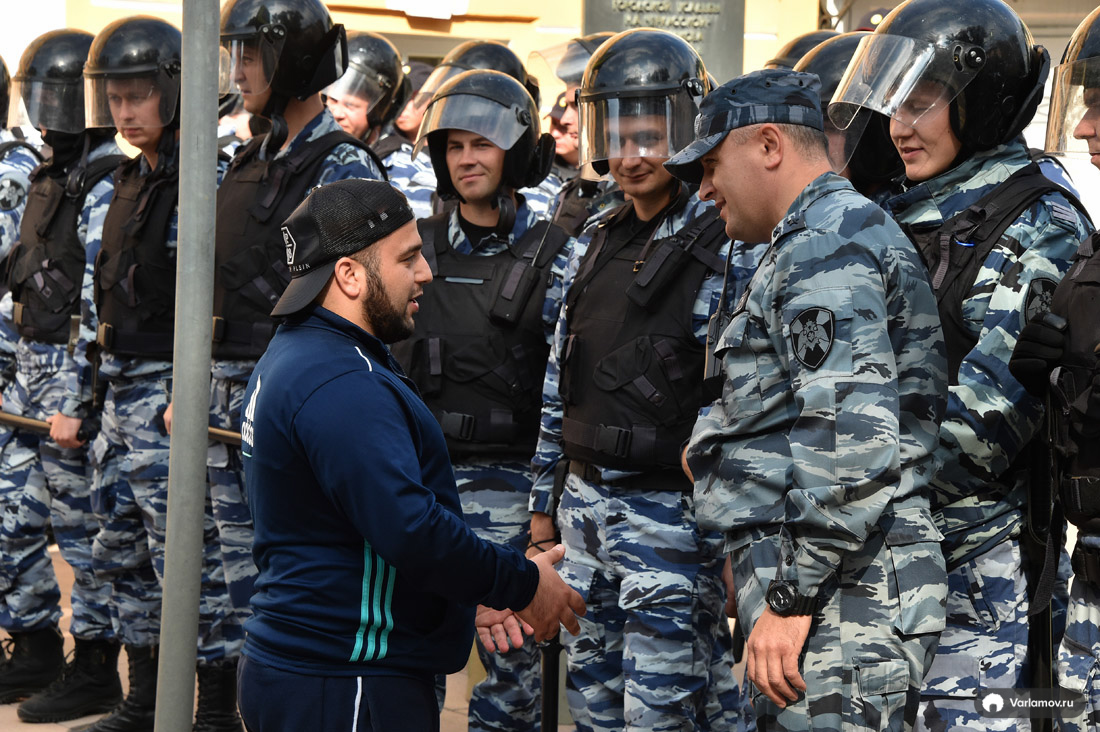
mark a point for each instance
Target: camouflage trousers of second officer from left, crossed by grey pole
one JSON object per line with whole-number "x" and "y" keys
{"x": 130, "y": 495}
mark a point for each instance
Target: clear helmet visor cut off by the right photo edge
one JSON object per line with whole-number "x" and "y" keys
{"x": 1073, "y": 125}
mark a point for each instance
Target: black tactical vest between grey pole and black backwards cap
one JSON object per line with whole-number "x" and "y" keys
{"x": 255, "y": 199}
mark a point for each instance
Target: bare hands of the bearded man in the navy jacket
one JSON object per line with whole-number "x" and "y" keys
{"x": 555, "y": 604}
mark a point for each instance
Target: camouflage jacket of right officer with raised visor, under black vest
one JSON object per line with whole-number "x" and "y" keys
{"x": 977, "y": 501}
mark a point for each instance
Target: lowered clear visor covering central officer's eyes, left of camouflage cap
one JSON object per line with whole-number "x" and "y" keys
{"x": 635, "y": 127}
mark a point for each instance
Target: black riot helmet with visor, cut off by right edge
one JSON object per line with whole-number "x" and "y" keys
{"x": 1075, "y": 97}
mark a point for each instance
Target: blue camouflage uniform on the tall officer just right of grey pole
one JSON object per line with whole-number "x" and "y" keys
{"x": 229, "y": 380}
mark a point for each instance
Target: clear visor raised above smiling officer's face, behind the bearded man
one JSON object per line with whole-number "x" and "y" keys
{"x": 500, "y": 125}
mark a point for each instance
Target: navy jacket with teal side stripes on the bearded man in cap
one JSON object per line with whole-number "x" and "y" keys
{"x": 366, "y": 563}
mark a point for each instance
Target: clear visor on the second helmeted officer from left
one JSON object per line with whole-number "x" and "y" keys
{"x": 130, "y": 102}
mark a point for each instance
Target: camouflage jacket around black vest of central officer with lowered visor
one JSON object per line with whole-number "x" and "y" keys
{"x": 743, "y": 260}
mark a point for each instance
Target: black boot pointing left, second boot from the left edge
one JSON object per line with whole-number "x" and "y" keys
{"x": 89, "y": 685}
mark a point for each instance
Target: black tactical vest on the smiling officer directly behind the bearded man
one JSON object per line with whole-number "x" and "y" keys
{"x": 480, "y": 352}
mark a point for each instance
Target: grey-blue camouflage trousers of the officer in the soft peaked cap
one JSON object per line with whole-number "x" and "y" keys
{"x": 873, "y": 637}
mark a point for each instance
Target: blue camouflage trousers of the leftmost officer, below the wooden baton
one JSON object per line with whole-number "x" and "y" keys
{"x": 43, "y": 483}
